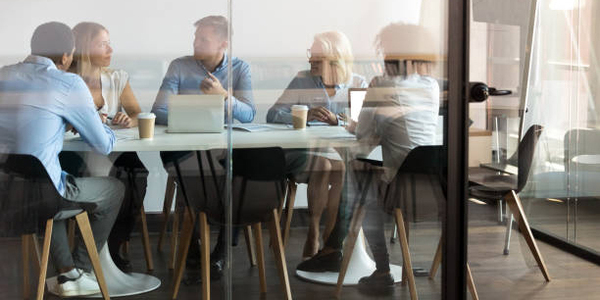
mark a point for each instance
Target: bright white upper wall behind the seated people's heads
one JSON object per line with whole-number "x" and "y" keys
{"x": 261, "y": 27}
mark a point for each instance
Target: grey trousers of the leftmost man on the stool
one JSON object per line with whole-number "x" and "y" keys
{"x": 108, "y": 194}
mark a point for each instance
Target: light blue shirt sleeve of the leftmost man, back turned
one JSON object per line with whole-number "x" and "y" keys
{"x": 80, "y": 112}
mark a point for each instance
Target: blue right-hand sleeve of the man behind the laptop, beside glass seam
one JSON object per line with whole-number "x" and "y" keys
{"x": 243, "y": 104}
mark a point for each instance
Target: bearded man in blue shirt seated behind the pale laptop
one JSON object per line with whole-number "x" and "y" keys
{"x": 206, "y": 73}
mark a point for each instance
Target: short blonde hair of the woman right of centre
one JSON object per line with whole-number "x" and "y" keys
{"x": 338, "y": 50}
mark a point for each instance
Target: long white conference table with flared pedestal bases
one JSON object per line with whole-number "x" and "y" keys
{"x": 271, "y": 135}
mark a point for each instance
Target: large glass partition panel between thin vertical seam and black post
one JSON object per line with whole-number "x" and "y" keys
{"x": 344, "y": 93}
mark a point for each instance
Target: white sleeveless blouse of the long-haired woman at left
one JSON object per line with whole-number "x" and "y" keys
{"x": 113, "y": 83}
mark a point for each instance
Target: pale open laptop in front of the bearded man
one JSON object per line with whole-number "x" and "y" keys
{"x": 196, "y": 113}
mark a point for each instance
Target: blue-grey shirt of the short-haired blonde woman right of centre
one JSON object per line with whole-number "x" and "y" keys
{"x": 309, "y": 90}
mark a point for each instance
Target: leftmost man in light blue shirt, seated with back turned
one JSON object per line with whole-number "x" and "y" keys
{"x": 39, "y": 101}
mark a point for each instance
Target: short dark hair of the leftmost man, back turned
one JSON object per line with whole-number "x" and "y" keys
{"x": 52, "y": 40}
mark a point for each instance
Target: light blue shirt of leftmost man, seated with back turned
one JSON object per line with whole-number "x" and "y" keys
{"x": 37, "y": 101}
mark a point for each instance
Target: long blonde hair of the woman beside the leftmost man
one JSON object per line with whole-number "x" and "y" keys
{"x": 84, "y": 33}
